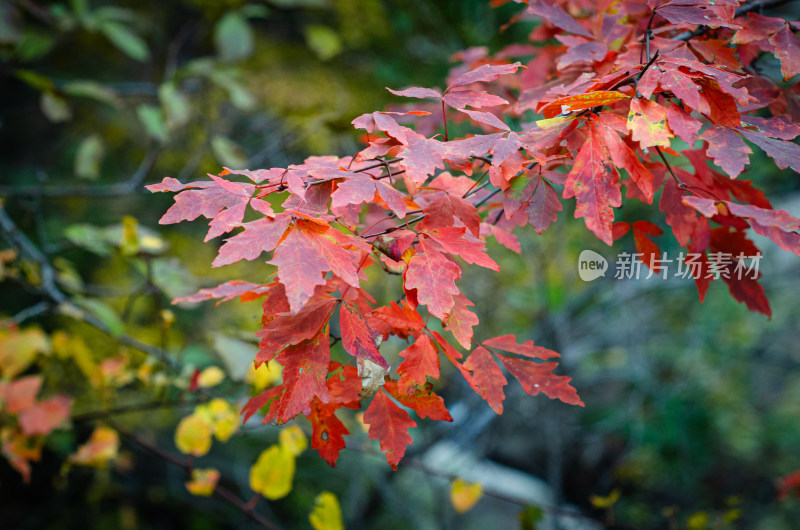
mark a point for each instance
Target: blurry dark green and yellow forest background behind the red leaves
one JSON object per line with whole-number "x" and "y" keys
{"x": 692, "y": 410}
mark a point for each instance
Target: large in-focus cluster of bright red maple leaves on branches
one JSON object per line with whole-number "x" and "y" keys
{"x": 621, "y": 87}
